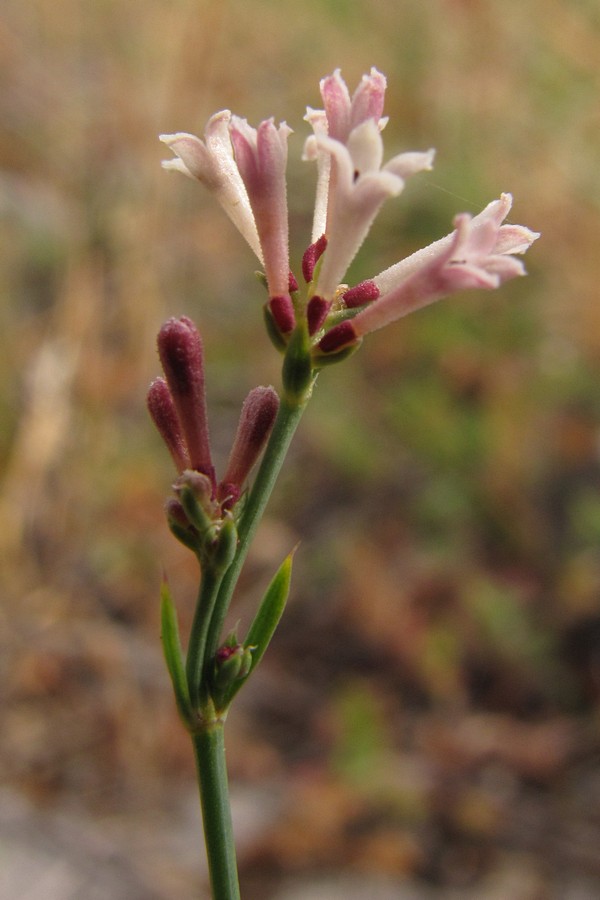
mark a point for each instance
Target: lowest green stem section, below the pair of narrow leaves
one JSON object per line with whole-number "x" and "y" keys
{"x": 209, "y": 749}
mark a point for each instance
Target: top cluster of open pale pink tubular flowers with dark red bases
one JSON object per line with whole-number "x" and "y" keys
{"x": 244, "y": 168}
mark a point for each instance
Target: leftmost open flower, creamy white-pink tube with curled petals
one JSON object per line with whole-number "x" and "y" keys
{"x": 211, "y": 162}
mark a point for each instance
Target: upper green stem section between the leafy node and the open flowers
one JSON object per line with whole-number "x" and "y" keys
{"x": 287, "y": 421}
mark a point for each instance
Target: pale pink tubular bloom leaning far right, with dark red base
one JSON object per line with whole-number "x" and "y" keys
{"x": 477, "y": 254}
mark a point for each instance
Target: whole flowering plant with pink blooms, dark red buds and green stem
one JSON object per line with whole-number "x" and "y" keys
{"x": 245, "y": 169}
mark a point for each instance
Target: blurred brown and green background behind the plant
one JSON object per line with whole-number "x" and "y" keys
{"x": 426, "y": 723}
